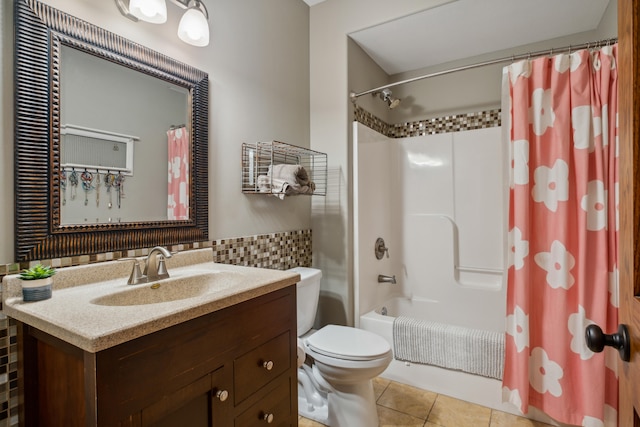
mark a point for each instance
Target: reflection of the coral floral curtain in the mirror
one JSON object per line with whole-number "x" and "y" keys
{"x": 178, "y": 190}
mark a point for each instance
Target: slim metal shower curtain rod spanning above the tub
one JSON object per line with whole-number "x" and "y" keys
{"x": 354, "y": 96}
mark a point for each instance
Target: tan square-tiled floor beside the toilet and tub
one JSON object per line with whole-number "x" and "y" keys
{"x": 401, "y": 405}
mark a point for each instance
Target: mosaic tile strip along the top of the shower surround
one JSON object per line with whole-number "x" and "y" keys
{"x": 446, "y": 124}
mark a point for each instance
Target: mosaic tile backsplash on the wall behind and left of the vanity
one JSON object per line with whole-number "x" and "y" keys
{"x": 280, "y": 251}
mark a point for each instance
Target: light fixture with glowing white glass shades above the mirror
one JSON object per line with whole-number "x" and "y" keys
{"x": 193, "y": 27}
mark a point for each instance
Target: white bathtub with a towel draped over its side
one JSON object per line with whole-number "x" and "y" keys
{"x": 468, "y": 387}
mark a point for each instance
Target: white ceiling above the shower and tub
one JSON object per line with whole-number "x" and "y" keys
{"x": 466, "y": 28}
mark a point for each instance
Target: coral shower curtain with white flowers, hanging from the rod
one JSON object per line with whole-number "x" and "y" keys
{"x": 563, "y": 225}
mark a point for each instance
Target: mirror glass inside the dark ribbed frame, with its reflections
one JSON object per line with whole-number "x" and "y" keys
{"x": 124, "y": 143}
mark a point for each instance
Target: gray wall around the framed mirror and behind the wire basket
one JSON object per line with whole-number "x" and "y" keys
{"x": 258, "y": 66}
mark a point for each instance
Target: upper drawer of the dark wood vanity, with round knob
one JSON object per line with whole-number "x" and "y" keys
{"x": 259, "y": 366}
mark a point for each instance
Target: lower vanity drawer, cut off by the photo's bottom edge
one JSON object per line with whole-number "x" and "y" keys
{"x": 272, "y": 409}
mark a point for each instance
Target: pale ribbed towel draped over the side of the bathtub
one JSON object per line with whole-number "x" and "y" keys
{"x": 470, "y": 350}
